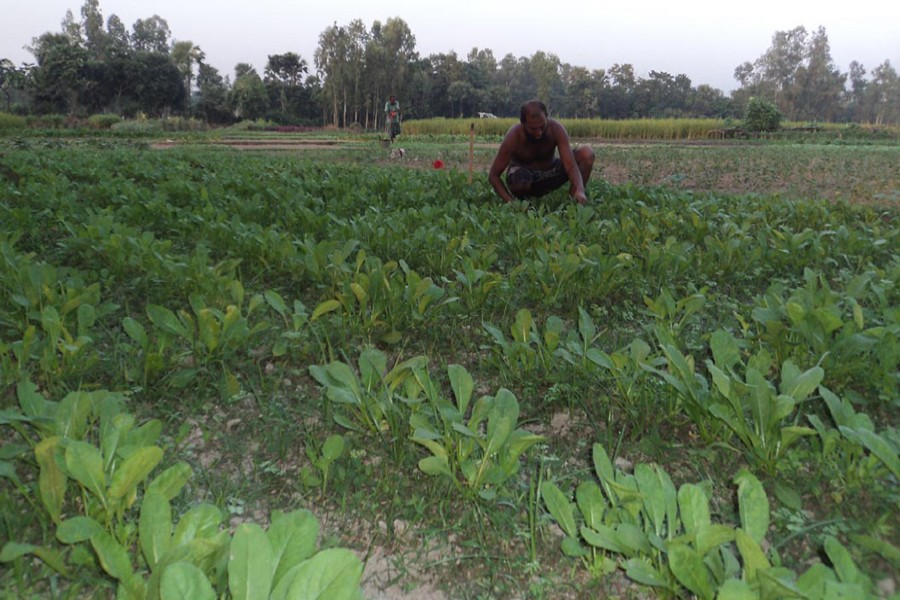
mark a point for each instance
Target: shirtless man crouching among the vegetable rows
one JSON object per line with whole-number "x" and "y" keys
{"x": 528, "y": 154}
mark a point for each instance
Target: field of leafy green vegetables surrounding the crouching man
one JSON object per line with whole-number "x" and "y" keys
{"x": 230, "y": 373}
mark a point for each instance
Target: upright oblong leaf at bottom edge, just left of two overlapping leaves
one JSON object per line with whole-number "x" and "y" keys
{"x": 251, "y": 563}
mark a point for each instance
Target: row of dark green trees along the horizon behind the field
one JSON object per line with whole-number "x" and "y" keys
{"x": 96, "y": 65}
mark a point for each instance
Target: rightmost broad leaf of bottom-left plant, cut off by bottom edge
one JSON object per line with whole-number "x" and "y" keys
{"x": 332, "y": 574}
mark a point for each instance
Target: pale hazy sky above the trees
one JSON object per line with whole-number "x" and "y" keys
{"x": 703, "y": 39}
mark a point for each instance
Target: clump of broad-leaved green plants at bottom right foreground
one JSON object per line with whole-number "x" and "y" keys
{"x": 666, "y": 538}
